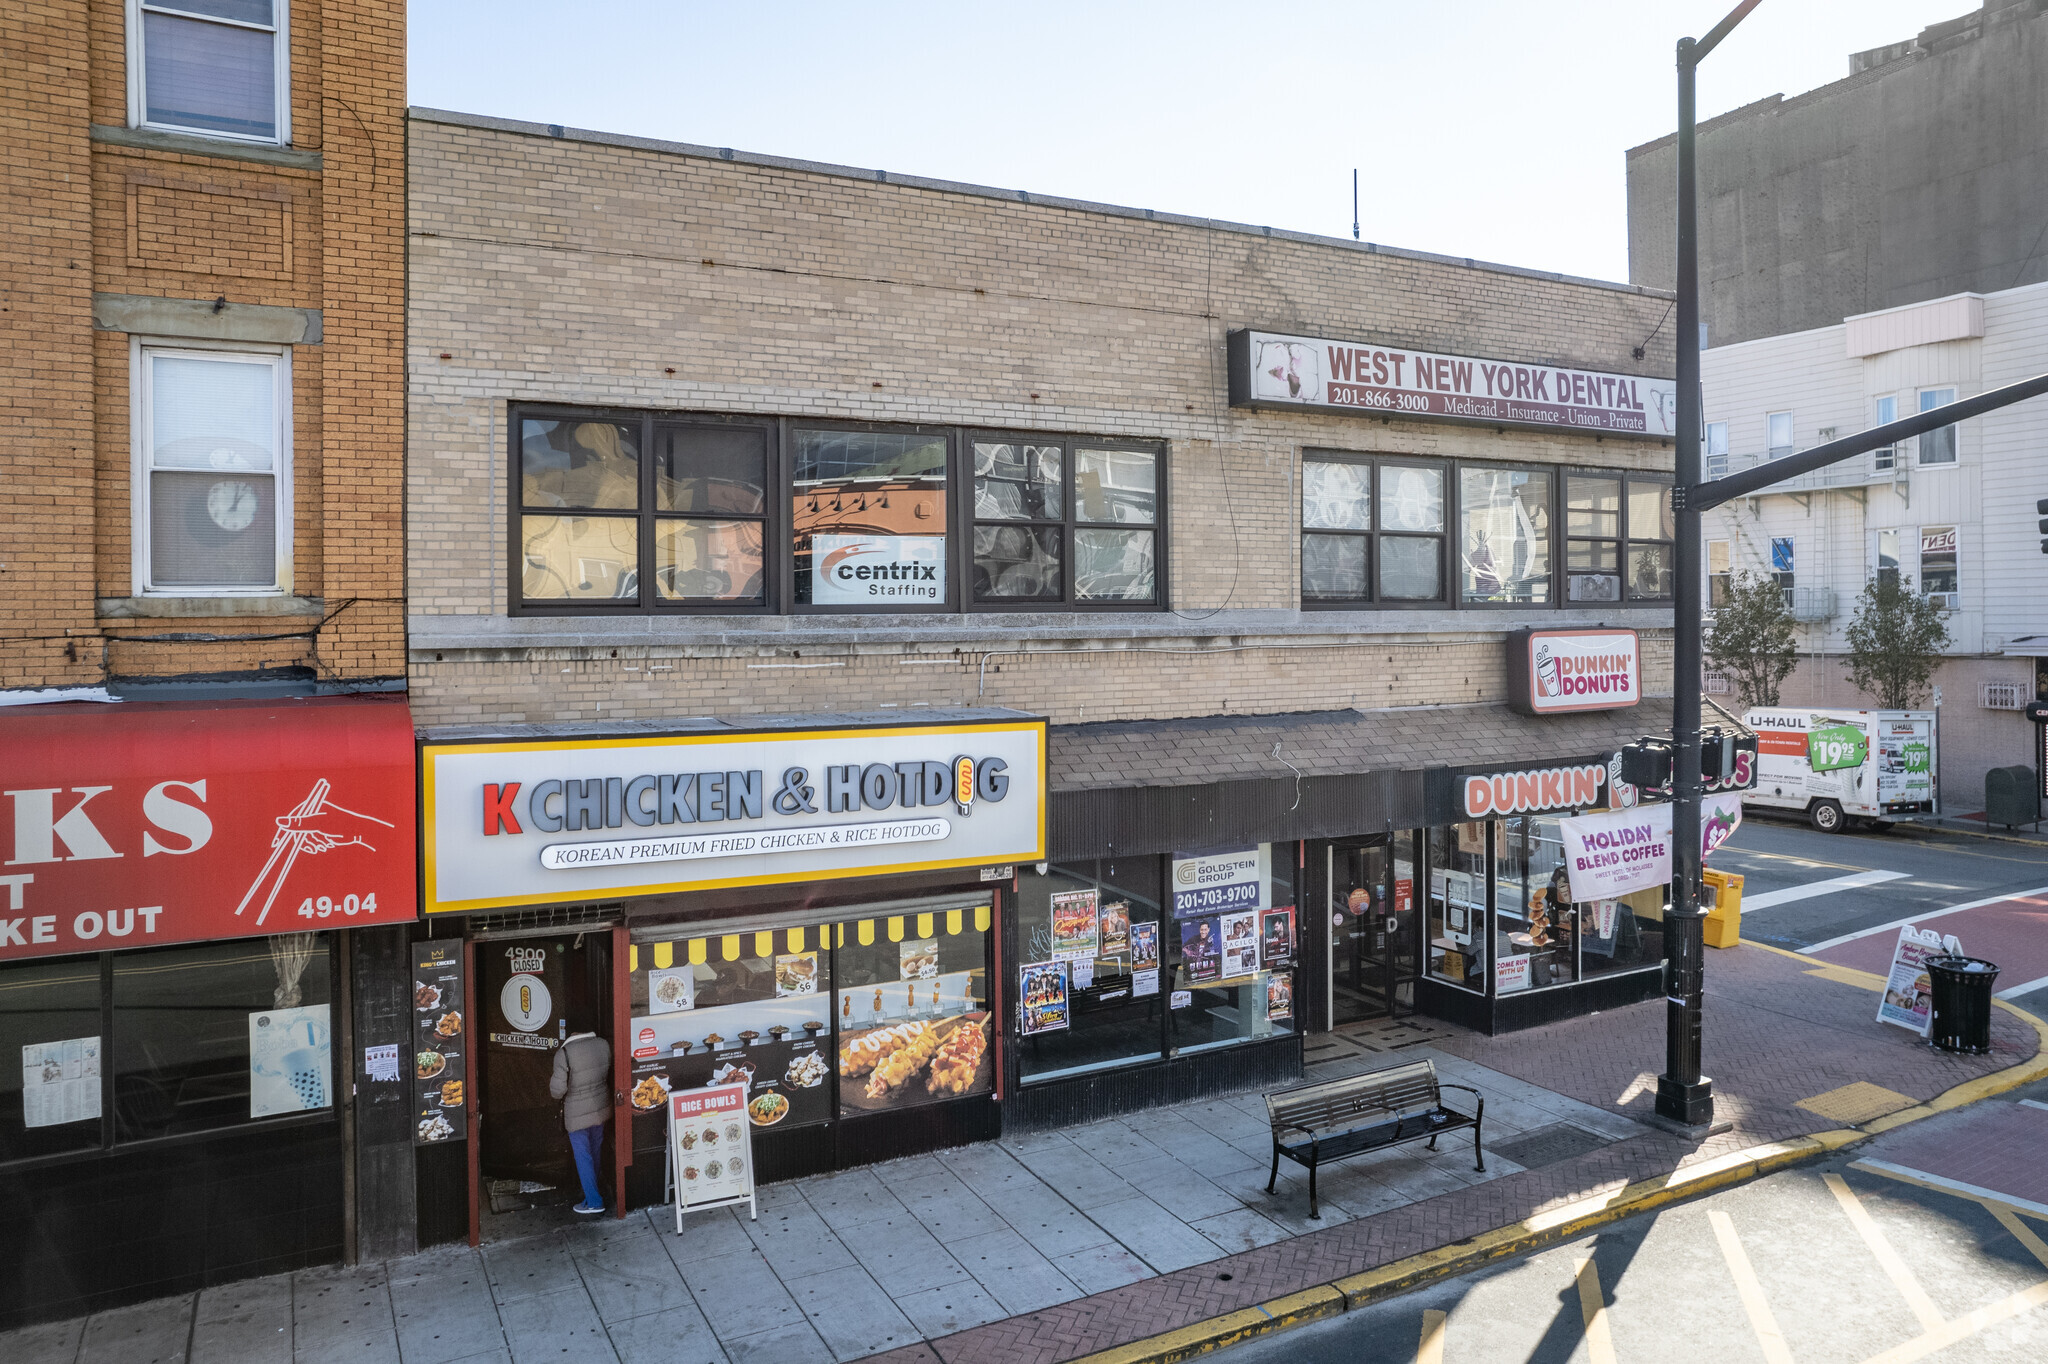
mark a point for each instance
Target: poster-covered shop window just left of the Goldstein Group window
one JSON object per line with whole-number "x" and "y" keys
{"x": 1113, "y": 984}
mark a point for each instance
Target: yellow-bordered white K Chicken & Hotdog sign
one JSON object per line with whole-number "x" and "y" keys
{"x": 544, "y": 822}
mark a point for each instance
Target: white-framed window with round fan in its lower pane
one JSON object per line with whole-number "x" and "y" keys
{"x": 214, "y": 456}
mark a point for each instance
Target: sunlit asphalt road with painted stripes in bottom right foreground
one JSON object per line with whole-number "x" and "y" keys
{"x": 1857, "y": 1261}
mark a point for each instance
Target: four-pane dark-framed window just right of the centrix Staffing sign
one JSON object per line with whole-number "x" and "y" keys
{"x": 1064, "y": 521}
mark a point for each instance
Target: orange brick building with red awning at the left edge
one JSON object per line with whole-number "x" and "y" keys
{"x": 204, "y": 435}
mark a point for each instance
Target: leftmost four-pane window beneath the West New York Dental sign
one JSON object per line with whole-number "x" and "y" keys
{"x": 1371, "y": 531}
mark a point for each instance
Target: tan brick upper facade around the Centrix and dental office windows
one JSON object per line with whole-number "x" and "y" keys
{"x": 579, "y": 269}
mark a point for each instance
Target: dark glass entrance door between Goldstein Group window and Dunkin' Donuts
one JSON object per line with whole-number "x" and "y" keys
{"x": 1373, "y": 941}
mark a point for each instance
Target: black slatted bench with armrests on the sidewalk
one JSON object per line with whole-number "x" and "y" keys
{"x": 1336, "y": 1119}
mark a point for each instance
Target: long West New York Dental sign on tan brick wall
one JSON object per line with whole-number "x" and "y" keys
{"x": 1332, "y": 376}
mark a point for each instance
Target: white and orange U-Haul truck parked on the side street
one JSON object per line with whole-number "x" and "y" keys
{"x": 1842, "y": 767}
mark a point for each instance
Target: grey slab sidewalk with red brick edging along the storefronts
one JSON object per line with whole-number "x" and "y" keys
{"x": 1054, "y": 1246}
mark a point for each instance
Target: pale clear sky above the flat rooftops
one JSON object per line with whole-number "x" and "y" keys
{"x": 1482, "y": 128}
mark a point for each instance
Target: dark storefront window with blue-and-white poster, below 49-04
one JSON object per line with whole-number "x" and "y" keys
{"x": 220, "y": 1033}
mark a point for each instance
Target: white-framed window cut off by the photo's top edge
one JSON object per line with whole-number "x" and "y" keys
{"x": 218, "y": 69}
